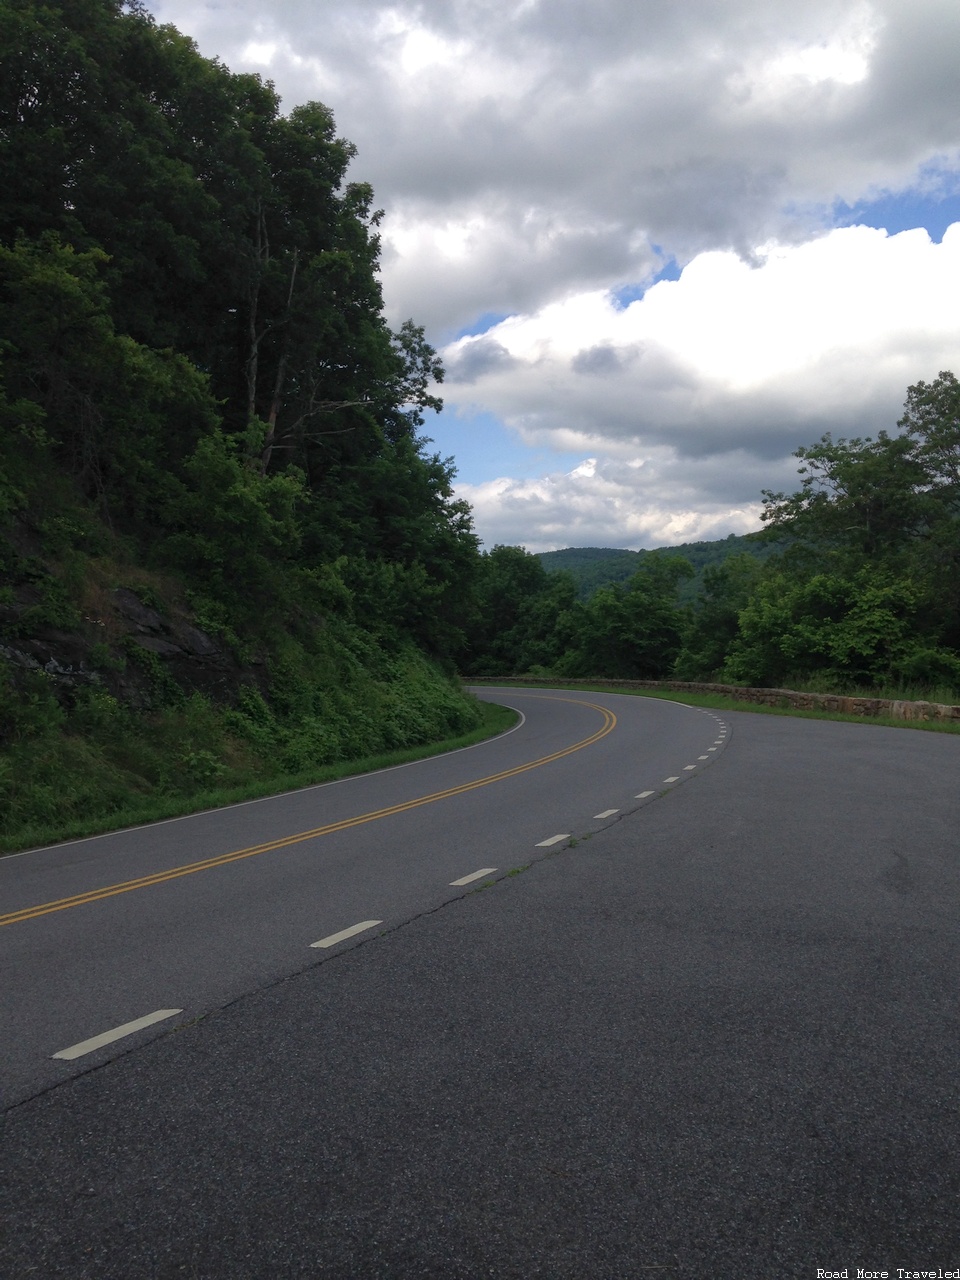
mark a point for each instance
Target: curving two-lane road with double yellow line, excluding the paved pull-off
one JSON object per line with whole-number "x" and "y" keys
{"x": 88, "y": 947}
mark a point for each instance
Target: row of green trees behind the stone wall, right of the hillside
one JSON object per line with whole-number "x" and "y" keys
{"x": 858, "y": 584}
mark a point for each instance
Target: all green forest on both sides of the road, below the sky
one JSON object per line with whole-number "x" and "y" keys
{"x": 228, "y": 556}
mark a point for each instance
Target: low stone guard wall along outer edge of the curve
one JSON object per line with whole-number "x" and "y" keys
{"x": 845, "y": 705}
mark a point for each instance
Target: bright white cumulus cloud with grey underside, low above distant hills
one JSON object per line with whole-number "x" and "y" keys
{"x": 694, "y": 397}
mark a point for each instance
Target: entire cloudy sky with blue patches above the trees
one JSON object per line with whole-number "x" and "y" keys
{"x": 660, "y": 245}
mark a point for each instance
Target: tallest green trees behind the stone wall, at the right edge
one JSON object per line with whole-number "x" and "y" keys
{"x": 870, "y": 591}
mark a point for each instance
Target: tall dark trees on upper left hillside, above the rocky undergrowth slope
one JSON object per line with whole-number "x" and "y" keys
{"x": 193, "y": 322}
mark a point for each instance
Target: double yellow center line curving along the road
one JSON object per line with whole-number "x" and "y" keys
{"x": 63, "y": 904}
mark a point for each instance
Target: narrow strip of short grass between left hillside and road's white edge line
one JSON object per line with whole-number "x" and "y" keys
{"x": 496, "y": 720}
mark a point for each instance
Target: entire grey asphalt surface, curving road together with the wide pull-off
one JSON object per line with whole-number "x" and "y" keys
{"x": 717, "y": 1039}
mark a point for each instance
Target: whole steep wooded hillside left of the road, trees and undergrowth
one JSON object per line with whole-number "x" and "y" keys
{"x": 203, "y": 403}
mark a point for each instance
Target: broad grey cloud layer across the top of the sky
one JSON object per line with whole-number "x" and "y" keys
{"x": 582, "y": 135}
